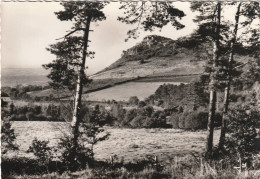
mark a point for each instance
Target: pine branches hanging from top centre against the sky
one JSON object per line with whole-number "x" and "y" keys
{"x": 150, "y": 15}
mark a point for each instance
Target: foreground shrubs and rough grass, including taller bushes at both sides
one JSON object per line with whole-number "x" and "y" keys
{"x": 238, "y": 159}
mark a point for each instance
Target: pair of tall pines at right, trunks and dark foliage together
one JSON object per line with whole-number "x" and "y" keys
{"x": 224, "y": 44}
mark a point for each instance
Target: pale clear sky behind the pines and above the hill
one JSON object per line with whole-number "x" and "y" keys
{"x": 28, "y": 28}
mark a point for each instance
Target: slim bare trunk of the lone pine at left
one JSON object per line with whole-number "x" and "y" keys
{"x": 78, "y": 94}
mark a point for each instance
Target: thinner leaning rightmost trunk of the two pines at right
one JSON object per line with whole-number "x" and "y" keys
{"x": 227, "y": 88}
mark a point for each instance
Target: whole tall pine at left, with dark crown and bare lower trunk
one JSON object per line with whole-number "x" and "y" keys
{"x": 68, "y": 70}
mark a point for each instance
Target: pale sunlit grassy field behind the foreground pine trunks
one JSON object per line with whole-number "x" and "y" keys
{"x": 130, "y": 144}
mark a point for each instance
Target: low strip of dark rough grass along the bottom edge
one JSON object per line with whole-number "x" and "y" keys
{"x": 180, "y": 167}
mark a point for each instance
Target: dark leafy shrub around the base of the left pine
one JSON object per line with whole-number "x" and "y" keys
{"x": 76, "y": 155}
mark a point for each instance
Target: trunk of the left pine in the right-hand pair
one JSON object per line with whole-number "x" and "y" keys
{"x": 213, "y": 94}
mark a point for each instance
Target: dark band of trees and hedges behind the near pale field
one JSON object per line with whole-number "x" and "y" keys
{"x": 179, "y": 103}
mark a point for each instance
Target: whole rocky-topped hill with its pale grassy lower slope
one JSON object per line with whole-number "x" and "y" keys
{"x": 156, "y": 56}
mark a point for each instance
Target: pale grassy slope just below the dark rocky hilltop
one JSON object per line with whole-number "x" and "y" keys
{"x": 153, "y": 66}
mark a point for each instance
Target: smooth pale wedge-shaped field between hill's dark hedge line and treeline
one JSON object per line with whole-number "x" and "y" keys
{"x": 124, "y": 91}
